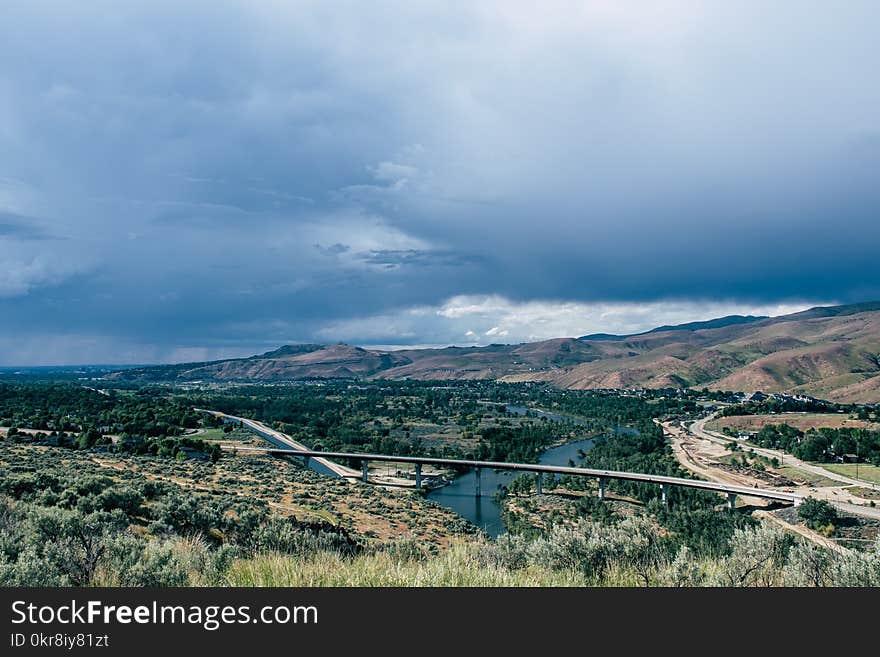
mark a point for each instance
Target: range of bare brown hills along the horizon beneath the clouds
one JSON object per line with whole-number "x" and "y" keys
{"x": 830, "y": 352}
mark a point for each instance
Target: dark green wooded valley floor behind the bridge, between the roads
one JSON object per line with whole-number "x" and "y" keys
{"x": 386, "y": 416}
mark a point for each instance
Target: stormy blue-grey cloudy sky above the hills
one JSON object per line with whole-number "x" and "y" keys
{"x": 200, "y": 179}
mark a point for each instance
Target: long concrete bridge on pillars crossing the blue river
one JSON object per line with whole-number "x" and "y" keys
{"x": 664, "y": 482}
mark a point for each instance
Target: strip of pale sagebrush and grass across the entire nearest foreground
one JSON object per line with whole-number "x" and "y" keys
{"x": 89, "y": 546}
